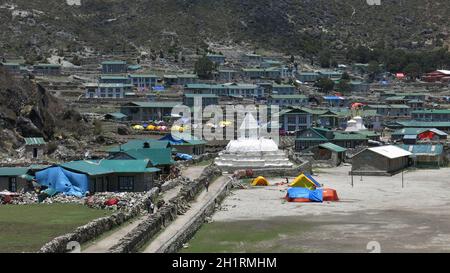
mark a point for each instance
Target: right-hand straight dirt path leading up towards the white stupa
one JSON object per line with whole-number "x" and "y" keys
{"x": 170, "y": 231}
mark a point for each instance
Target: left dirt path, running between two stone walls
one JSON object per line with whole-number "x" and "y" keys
{"x": 104, "y": 244}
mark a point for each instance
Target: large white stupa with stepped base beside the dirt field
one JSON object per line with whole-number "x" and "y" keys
{"x": 250, "y": 151}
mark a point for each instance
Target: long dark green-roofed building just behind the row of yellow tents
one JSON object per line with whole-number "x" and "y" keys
{"x": 146, "y": 111}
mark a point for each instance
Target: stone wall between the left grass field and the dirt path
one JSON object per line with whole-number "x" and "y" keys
{"x": 96, "y": 227}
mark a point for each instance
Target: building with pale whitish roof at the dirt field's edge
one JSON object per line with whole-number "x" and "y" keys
{"x": 379, "y": 161}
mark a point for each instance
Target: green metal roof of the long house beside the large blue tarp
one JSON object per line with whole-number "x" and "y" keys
{"x": 104, "y": 166}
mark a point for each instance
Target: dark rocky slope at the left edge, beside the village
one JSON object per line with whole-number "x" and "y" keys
{"x": 27, "y": 110}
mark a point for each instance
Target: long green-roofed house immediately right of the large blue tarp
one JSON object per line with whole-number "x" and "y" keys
{"x": 116, "y": 175}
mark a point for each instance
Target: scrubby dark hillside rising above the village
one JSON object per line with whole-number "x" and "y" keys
{"x": 290, "y": 26}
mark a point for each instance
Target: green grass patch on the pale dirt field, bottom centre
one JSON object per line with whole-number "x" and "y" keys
{"x": 268, "y": 236}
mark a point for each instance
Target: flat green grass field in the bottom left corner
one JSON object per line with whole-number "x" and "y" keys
{"x": 27, "y": 228}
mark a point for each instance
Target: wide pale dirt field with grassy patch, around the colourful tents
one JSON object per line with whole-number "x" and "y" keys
{"x": 410, "y": 219}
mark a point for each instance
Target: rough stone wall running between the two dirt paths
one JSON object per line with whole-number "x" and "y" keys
{"x": 145, "y": 231}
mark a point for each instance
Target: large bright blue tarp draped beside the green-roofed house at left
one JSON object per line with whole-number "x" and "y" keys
{"x": 64, "y": 181}
